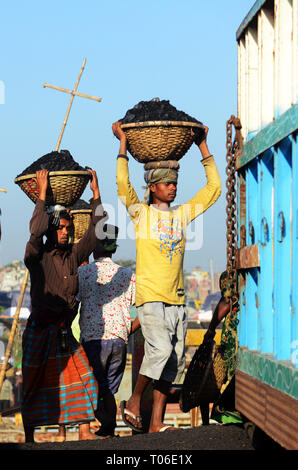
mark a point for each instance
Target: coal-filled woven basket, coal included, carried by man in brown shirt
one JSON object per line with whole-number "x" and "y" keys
{"x": 67, "y": 179}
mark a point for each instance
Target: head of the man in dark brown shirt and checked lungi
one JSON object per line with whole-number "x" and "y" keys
{"x": 60, "y": 225}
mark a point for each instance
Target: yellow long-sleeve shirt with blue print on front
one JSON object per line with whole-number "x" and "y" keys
{"x": 161, "y": 236}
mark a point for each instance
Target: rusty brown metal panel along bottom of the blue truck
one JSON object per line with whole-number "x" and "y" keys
{"x": 273, "y": 411}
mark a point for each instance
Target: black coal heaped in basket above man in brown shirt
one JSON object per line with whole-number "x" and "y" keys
{"x": 54, "y": 161}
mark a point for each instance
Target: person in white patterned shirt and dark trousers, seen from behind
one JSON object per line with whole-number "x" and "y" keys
{"x": 106, "y": 293}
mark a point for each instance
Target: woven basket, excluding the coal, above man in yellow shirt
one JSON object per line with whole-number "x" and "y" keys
{"x": 159, "y": 140}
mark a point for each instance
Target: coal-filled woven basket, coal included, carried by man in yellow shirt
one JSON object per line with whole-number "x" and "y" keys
{"x": 156, "y": 131}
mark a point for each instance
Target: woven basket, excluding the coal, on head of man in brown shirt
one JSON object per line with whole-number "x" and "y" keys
{"x": 65, "y": 187}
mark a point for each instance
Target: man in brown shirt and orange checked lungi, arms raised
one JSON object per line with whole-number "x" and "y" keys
{"x": 58, "y": 385}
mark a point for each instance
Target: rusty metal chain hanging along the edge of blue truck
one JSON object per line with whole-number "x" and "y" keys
{"x": 233, "y": 147}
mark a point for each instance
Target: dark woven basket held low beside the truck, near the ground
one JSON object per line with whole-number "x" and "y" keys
{"x": 204, "y": 378}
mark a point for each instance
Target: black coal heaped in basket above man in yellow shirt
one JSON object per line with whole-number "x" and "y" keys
{"x": 155, "y": 110}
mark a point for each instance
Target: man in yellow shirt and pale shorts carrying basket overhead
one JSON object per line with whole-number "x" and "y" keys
{"x": 160, "y": 241}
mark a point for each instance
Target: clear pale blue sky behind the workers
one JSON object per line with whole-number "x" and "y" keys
{"x": 184, "y": 52}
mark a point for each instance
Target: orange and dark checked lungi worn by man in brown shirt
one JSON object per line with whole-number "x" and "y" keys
{"x": 58, "y": 386}
